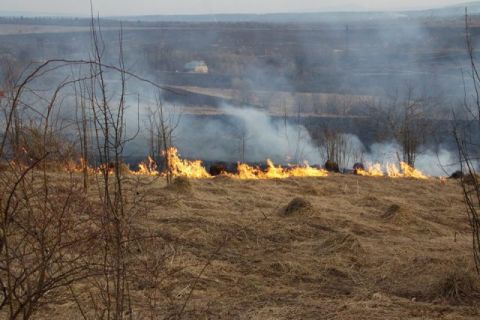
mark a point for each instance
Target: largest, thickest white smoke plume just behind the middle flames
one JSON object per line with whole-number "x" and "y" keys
{"x": 245, "y": 134}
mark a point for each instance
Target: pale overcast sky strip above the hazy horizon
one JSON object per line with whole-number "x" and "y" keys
{"x": 145, "y": 7}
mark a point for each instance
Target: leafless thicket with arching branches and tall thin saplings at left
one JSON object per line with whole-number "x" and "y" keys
{"x": 54, "y": 235}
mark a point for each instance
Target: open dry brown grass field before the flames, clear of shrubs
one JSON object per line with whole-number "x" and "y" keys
{"x": 348, "y": 248}
